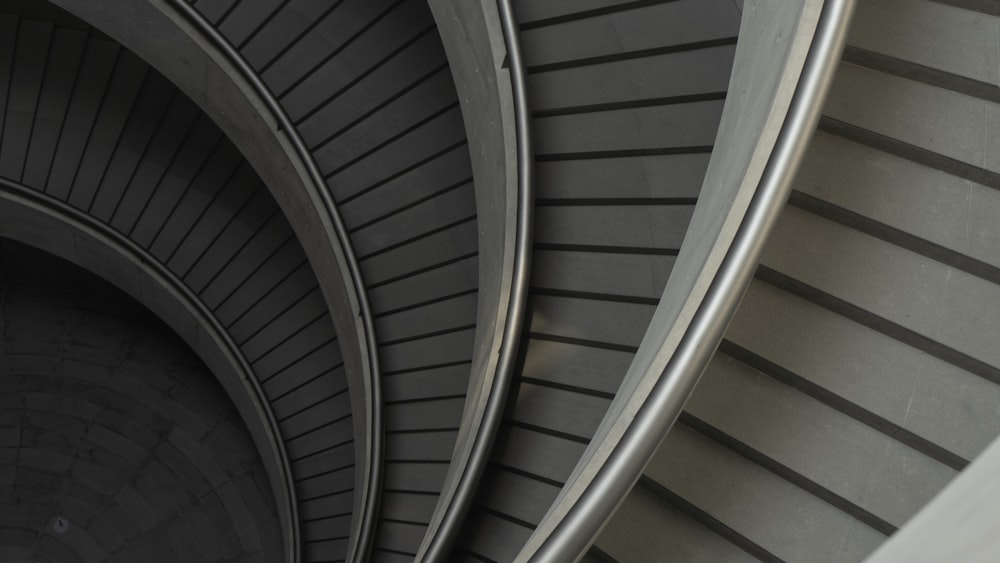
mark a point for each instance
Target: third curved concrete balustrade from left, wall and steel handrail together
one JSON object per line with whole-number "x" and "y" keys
{"x": 485, "y": 57}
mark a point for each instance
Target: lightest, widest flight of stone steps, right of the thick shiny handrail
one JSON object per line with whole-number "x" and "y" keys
{"x": 859, "y": 375}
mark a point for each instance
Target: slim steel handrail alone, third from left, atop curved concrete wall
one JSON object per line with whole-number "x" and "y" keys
{"x": 482, "y": 446}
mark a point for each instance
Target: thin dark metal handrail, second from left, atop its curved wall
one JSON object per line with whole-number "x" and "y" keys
{"x": 363, "y": 533}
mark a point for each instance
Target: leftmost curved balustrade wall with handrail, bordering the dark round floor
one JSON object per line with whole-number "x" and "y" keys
{"x": 159, "y": 289}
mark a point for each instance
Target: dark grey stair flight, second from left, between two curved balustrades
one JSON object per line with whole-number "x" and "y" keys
{"x": 367, "y": 86}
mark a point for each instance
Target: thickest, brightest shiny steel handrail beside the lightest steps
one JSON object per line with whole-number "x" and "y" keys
{"x": 571, "y": 534}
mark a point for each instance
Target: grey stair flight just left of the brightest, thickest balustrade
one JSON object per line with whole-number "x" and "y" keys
{"x": 620, "y": 154}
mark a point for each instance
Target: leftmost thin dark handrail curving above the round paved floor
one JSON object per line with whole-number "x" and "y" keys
{"x": 81, "y": 222}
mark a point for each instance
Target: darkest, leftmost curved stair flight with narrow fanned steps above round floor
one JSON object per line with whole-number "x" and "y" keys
{"x": 88, "y": 124}
